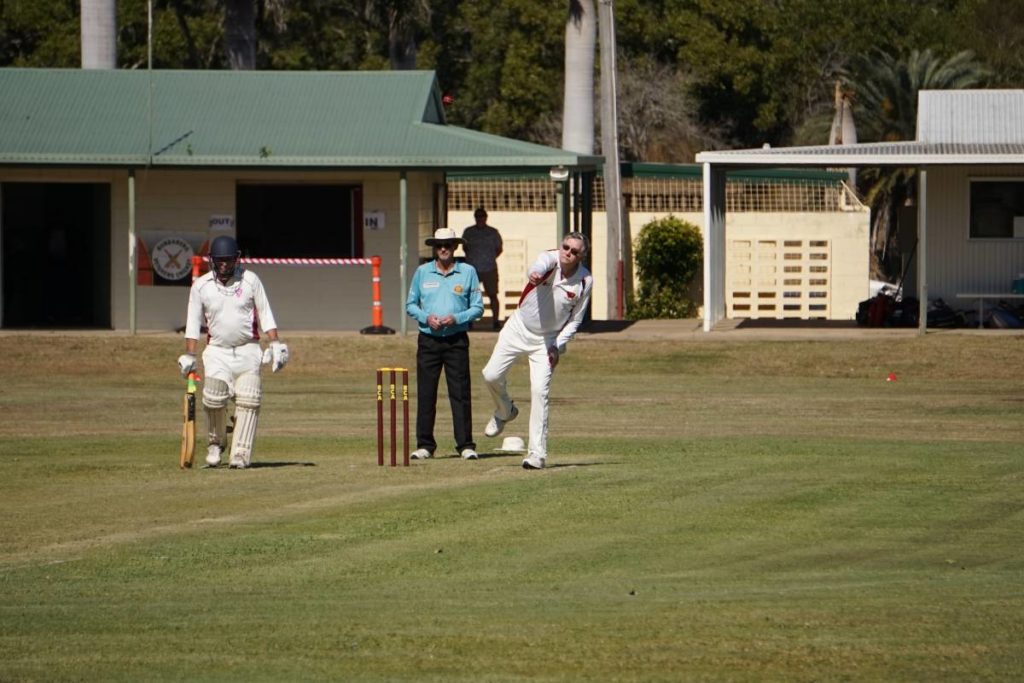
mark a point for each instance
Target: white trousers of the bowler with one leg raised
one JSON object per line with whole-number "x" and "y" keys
{"x": 516, "y": 341}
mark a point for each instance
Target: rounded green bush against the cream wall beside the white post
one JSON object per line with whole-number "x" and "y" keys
{"x": 669, "y": 257}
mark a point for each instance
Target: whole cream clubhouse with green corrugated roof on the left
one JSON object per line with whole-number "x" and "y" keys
{"x": 111, "y": 181}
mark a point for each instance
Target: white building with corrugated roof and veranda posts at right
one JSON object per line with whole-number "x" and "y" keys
{"x": 970, "y": 161}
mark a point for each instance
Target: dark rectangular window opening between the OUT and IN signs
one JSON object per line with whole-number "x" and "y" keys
{"x": 300, "y": 222}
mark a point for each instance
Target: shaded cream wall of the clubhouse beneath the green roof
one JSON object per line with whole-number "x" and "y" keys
{"x": 304, "y": 298}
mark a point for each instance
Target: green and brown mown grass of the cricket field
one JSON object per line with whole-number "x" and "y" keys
{"x": 713, "y": 510}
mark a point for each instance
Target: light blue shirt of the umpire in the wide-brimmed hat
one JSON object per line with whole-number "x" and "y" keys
{"x": 454, "y": 293}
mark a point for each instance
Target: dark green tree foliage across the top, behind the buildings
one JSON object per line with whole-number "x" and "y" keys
{"x": 742, "y": 72}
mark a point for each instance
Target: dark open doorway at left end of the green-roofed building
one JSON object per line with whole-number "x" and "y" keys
{"x": 57, "y": 254}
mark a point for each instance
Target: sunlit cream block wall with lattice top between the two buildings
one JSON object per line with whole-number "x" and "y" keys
{"x": 797, "y": 240}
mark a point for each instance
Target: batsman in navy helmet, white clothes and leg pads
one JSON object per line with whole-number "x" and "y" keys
{"x": 233, "y": 306}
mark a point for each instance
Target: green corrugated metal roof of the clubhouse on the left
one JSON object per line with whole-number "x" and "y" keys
{"x": 255, "y": 119}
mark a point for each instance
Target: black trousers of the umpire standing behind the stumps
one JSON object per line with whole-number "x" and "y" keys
{"x": 452, "y": 354}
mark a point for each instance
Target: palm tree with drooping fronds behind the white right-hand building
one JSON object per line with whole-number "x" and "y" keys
{"x": 886, "y": 100}
